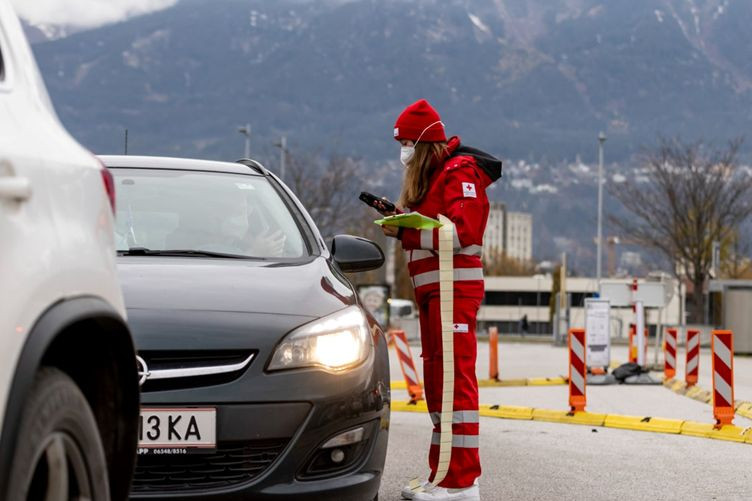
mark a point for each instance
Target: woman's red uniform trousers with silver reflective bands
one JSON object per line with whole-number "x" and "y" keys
{"x": 464, "y": 466}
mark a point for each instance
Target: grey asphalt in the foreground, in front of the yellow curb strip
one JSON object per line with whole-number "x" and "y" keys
{"x": 528, "y": 460}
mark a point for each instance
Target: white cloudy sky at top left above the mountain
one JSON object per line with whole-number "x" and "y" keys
{"x": 84, "y": 13}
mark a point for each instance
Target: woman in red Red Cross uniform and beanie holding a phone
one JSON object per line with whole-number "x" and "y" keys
{"x": 445, "y": 177}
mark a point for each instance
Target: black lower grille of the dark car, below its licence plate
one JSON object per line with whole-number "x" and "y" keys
{"x": 227, "y": 466}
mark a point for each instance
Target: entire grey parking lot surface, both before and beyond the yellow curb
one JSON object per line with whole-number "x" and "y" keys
{"x": 530, "y": 460}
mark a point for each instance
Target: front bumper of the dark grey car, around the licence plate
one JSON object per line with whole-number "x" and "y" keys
{"x": 270, "y": 428}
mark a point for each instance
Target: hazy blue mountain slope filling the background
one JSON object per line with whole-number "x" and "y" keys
{"x": 530, "y": 80}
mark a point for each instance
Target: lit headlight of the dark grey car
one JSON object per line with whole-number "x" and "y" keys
{"x": 335, "y": 342}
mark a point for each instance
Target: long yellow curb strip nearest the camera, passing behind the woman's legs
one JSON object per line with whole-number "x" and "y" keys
{"x": 637, "y": 423}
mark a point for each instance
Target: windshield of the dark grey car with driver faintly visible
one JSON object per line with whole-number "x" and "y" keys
{"x": 173, "y": 210}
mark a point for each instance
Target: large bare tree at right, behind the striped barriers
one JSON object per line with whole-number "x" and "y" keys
{"x": 685, "y": 197}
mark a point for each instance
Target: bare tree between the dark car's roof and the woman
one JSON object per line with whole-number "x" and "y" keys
{"x": 328, "y": 188}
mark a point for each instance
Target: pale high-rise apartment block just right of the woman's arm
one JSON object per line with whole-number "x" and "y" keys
{"x": 508, "y": 232}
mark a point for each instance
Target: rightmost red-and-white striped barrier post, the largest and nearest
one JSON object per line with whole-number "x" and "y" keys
{"x": 722, "y": 344}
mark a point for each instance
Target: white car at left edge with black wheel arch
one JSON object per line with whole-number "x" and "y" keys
{"x": 68, "y": 379}
